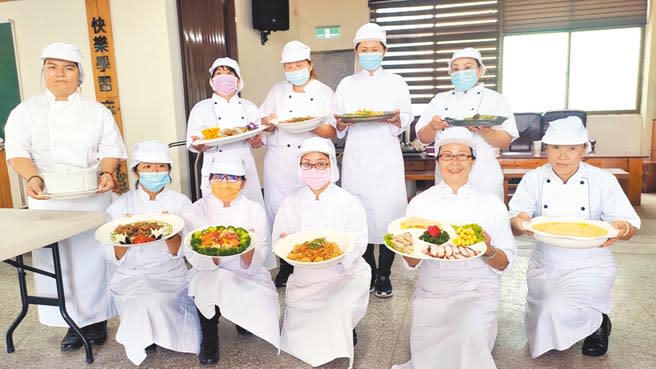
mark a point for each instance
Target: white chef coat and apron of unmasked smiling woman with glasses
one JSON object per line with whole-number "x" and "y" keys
{"x": 454, "y": 311}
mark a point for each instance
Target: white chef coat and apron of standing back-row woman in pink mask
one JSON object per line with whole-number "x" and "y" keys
{"x": 219, "y": 112}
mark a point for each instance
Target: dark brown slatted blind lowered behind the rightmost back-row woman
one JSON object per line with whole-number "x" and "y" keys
{"x": 422, "y": 35}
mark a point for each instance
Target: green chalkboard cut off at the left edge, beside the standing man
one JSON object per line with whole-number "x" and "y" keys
{"x": 9, "y": 90}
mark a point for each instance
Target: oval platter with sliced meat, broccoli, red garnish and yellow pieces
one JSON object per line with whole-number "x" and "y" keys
{"x": 434, "y": 240}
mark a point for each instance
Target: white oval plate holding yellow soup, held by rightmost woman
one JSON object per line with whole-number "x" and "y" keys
{"x": 571, "y": 242}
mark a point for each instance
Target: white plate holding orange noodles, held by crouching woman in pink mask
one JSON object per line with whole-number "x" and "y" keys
{"x": 345, "y": 241}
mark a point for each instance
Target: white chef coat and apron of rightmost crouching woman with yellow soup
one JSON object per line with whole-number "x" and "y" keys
{"x": 568, "y": 289}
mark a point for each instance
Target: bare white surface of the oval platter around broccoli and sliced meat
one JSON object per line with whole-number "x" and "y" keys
{"x": 419, "y": 246}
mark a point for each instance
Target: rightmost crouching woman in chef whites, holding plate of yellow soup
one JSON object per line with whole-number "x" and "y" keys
{"x": 569, "y": 290}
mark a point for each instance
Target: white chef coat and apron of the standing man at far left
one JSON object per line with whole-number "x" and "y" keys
{"x": 78, "y": 133}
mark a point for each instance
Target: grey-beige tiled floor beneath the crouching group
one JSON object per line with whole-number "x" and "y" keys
{"x": 383, "y": 334}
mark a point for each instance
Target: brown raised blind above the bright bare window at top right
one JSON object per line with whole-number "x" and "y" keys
{"x": 520, "y": 16}
